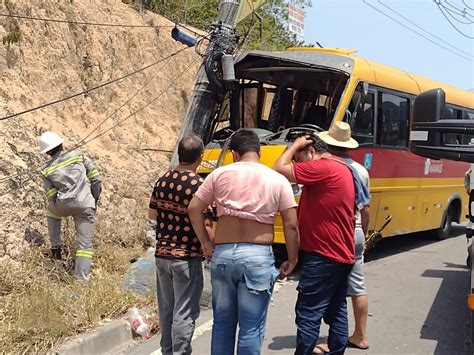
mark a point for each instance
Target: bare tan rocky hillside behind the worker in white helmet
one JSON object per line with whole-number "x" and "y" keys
{"x": 54, "y": 60}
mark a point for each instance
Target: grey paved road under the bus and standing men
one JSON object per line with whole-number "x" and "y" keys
{"x": 417, "y": 289}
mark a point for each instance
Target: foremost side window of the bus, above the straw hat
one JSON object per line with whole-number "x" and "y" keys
{"x": 362, "y": 123}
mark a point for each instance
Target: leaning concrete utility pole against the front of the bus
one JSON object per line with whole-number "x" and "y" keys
{"x": 205, "y": 95}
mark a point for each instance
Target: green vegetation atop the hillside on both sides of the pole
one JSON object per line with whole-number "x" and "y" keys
{"x": 268, "y": 33}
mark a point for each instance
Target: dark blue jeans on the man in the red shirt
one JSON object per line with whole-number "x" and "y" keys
{"x": 322, "y": 292}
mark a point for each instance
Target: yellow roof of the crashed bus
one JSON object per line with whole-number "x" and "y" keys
{"x": 392, "y": 78}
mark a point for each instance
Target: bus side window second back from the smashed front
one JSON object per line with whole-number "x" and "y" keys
{"x": 393, "y": 120}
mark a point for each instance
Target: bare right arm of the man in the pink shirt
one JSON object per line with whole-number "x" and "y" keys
{"x": 292, "y": 240}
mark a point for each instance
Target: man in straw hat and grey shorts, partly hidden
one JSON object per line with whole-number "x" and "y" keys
{"x": 339, "y": 142}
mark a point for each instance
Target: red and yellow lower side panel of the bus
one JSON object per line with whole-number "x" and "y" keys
{"x": 414, "y": 190}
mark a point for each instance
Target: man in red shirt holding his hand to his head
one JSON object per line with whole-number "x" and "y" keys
{"x": 326, "y": 215}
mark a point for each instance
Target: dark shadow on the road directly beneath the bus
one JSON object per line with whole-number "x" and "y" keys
{"x": 398, "y": 244}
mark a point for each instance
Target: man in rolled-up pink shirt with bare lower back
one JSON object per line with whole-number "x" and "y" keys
{"x": 247, "y": 195}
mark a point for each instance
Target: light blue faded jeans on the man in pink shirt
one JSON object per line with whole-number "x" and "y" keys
{"x": 242, "y": 278}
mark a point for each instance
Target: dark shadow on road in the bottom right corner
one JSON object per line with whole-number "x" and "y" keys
{"x": 447, "y": 320}
